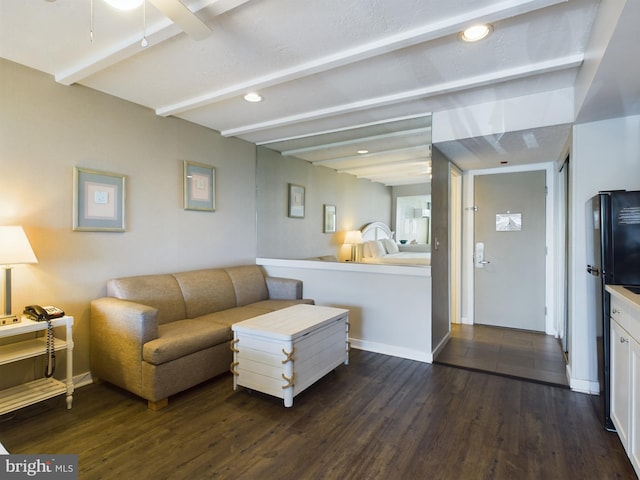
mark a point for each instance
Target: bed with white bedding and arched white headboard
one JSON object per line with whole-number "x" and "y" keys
{"x": 379, "y": 247}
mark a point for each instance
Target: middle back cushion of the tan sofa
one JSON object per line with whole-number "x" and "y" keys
{"x": 206, "y": 291}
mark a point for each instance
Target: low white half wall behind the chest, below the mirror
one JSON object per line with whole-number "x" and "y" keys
{"x": 389, "y": 311}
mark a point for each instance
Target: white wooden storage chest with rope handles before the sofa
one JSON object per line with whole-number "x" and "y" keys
{"x": 283, "y": 352}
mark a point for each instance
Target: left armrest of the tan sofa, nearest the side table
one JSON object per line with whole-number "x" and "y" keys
{"x": 118, "y": 330}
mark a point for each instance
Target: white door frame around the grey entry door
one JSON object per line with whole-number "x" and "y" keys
{"x": 468, "y": 232}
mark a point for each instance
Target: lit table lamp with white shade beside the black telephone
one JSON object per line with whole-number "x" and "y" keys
{"x": 15, "y": 249}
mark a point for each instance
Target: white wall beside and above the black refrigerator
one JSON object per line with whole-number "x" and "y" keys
{"x": 605, "y": 156}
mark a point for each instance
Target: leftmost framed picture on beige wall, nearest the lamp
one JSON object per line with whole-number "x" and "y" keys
{"x": 98, "y": 201}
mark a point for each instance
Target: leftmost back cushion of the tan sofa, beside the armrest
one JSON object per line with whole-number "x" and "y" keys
{"x": 158, "y": 291}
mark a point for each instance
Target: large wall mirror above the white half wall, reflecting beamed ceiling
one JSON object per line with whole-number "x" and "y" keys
{"x": 356, "y": 170}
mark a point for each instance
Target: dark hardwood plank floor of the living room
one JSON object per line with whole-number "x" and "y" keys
{"x": 379, "y": 417}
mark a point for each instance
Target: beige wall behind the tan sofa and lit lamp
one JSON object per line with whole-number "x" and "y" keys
{"x": 46, "y": 129}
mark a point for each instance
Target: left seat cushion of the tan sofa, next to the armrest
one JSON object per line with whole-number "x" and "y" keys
{"x": 183, "y": 337}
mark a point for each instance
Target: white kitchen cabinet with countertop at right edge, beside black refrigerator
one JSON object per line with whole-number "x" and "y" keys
{"x": 625, "y": 370}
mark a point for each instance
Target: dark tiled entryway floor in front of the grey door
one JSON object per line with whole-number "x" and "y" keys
{"x": 515, "y": 353}
